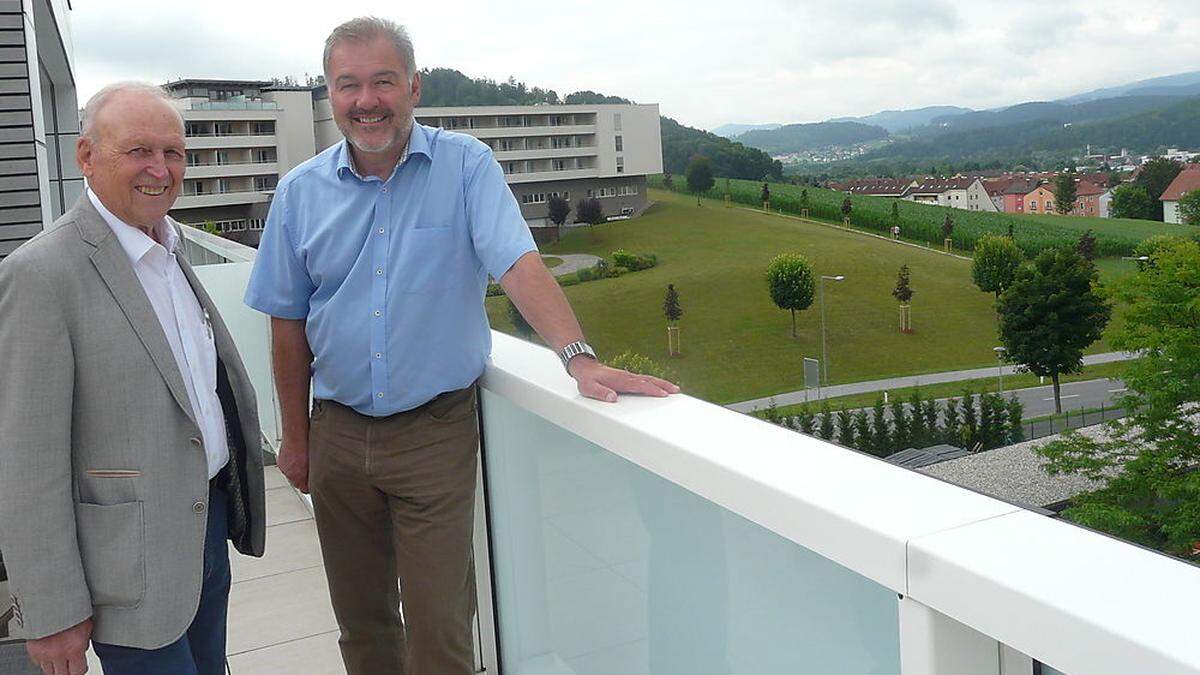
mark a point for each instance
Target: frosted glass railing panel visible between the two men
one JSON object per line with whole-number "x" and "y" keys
{"x": 226, "y": 284}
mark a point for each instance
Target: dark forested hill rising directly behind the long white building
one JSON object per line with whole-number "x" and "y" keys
{"x": 447, "y": 87}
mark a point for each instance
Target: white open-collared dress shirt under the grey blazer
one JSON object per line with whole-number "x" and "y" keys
{"x": 185, "y": 324}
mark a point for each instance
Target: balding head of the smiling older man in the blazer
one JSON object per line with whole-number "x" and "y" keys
{"x": 131, "y": 151}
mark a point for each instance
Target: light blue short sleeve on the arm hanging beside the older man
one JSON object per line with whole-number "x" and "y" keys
{"x": 280, "y": 285}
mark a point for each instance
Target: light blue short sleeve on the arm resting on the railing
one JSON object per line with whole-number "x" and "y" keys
{"x": 499, "y": 231}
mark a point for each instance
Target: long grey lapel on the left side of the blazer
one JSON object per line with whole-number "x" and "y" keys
{"x": 115, "y": 268}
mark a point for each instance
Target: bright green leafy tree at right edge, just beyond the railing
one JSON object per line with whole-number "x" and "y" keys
{"x": 1148, "y": 463}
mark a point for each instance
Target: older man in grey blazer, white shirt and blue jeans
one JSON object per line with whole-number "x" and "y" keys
{"x": 129, "y": 438}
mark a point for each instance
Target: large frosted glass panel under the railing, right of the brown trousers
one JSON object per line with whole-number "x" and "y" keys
{"x": 603, "y": 568}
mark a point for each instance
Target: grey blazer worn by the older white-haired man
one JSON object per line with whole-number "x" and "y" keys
{"x": 104, "y": 482}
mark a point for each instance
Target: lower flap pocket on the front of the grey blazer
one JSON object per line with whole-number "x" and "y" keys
{"x": 112, "y": 543}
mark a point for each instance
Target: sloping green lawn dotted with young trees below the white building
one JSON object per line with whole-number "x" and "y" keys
{"x": 736, "y": 344}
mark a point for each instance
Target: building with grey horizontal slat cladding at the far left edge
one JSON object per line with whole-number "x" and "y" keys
{"x": 39, "y": 120}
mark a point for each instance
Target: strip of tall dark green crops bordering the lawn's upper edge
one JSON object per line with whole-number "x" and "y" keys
{"x": 923, "y": 223}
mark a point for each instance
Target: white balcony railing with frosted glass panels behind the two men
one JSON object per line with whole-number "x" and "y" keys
{"x": 676, "y": 536}
